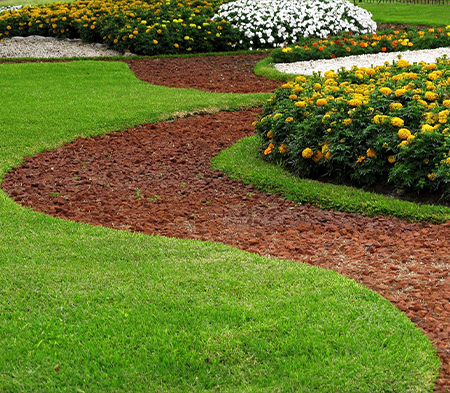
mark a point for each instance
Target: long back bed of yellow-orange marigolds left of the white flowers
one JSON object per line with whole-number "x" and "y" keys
{"x": 146, "y": 28}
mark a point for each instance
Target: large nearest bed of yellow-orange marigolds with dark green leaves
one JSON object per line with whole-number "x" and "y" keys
{"x": 382, "y": 124}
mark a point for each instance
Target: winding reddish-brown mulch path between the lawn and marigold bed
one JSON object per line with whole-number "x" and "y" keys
{"x": 157, "y": 178}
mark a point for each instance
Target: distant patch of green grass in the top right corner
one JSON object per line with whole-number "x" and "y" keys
{"x": 418, "y": 14}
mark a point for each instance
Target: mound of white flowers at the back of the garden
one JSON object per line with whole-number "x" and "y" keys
{"x": 270, "y": 23}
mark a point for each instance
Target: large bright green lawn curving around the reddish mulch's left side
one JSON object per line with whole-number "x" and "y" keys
{"x": 86, "y": 308}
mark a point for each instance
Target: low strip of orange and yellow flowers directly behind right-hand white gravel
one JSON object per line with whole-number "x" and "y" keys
{"x": 348, "y": 44}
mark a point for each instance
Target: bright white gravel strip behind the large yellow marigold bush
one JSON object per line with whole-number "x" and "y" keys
{"x": 309, "y": 67}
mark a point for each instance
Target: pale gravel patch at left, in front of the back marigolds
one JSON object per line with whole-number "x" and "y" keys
{"x": 48, "y": 47}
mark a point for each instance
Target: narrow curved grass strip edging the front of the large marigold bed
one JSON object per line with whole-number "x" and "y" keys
{"x": 242, "y": 161}
